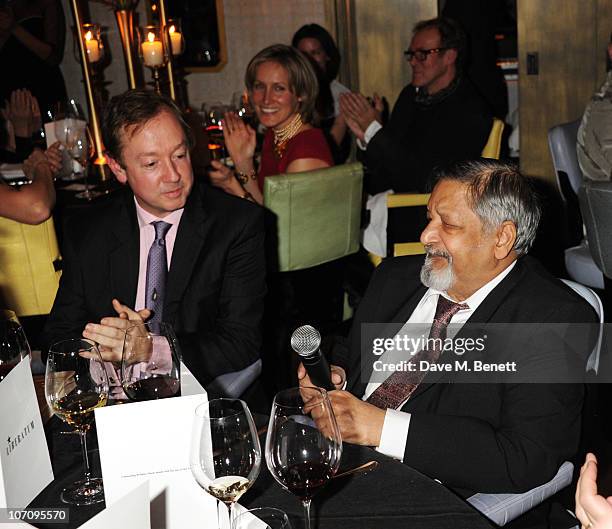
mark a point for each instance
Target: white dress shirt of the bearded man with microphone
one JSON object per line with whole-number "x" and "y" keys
{"x": 397, "y": 423}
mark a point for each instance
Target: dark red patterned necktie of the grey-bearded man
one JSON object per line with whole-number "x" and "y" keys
{"x": 401, "y": 384}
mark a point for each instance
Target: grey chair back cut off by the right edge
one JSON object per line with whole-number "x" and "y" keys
{"x": 596, "y": 207}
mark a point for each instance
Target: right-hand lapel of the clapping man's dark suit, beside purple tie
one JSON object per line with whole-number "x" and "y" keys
{"x": 190, "y": 238}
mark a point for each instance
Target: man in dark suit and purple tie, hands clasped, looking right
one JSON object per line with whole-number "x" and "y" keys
{"x": 214, "y": 253}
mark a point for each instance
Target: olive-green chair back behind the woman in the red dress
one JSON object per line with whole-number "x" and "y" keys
{"x": 318, "y": 214}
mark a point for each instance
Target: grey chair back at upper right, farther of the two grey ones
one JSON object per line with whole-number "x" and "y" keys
{"x": 562, "y": 143}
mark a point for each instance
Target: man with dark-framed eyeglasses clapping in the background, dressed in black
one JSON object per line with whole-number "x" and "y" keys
{"x": 438, "y": 118}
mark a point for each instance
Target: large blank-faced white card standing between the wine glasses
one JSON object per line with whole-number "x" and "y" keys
{"x": 150, "y": 441}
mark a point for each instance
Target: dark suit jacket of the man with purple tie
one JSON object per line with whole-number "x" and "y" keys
{"x": 215, "y": 286}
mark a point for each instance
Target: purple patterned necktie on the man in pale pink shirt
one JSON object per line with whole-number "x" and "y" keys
{"x": 157, "y": 270}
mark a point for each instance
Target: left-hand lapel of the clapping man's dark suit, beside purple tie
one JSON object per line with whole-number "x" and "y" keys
{"x": 124, "y": 249}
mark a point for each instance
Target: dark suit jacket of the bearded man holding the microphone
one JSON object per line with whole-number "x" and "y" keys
{"x": 496, "y": 436}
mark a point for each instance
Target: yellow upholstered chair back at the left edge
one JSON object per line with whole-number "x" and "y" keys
{"x": 29, "y": 266}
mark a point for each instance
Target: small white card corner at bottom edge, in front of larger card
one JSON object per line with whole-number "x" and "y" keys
{"x": 130, "y": 511}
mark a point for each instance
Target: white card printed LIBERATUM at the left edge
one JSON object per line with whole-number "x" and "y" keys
{"x": 25, "y": 465}
